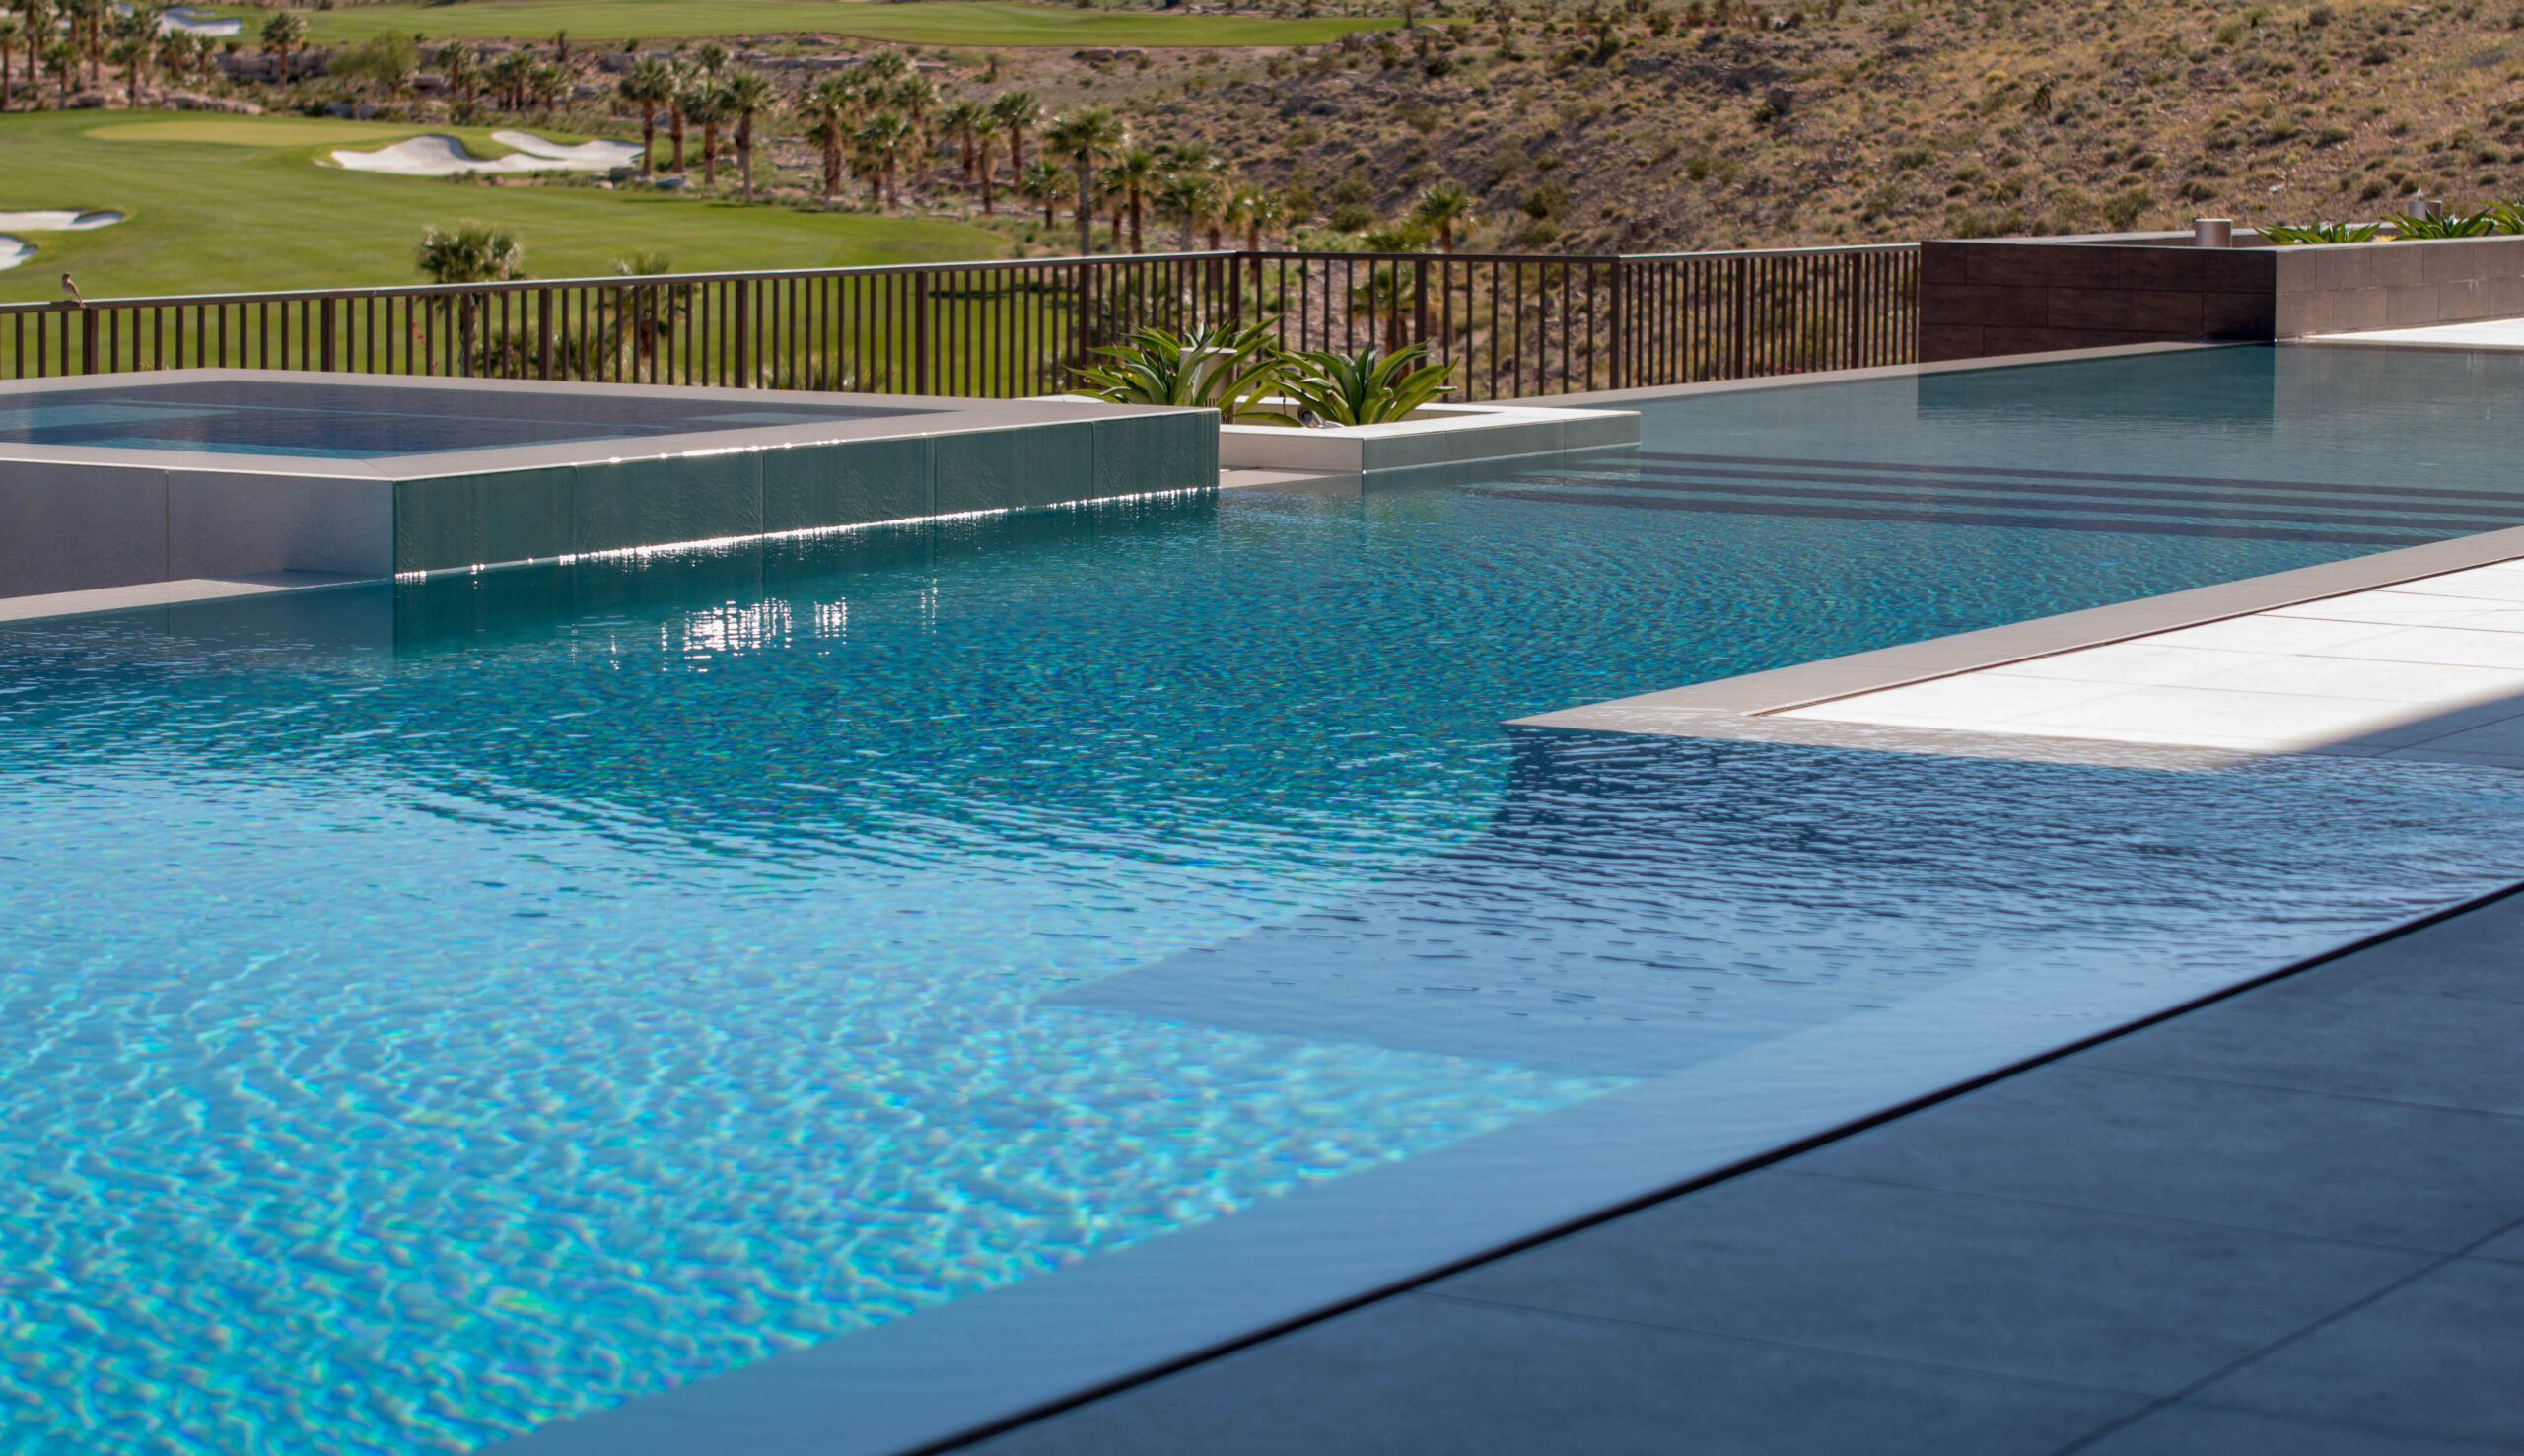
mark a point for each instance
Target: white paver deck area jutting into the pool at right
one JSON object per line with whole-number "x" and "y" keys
{"x": 2427, "y": 670}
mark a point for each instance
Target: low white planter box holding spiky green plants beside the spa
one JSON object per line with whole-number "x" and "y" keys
{"x": 1435, "y": 435}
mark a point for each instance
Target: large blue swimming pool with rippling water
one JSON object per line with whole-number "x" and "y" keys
{"x": 870, "y": 983}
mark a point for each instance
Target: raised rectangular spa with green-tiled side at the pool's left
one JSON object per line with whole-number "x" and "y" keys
{"x": 213, "y": 473}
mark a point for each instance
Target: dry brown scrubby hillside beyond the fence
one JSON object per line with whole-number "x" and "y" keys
{"x": 1743, "y": 127}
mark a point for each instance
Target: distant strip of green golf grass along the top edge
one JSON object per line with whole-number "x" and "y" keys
{"x": 986, "y": 24}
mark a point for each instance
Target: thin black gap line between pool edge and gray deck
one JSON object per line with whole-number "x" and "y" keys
{"x": 1692, "y": 1185}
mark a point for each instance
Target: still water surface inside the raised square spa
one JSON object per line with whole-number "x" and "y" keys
{"x": 372, "y": 420}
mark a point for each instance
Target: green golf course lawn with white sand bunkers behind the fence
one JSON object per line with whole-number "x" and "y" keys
{"x": 236, "y": 206}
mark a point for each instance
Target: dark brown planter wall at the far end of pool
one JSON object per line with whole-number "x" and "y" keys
{"x": 2033, "y": 294}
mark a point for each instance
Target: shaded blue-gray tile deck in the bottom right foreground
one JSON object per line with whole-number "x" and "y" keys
{"x": 2291, "y": 1223}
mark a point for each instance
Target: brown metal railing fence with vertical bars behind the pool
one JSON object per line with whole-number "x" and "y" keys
{"x": 1506, "y": 324}
